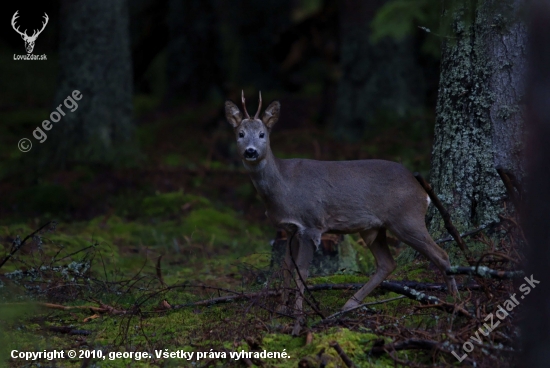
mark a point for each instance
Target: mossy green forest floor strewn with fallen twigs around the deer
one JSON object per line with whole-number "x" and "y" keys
{"x": 137, "y": 253}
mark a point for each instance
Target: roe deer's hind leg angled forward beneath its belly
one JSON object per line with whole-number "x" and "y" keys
{"x": 385, "y": 264}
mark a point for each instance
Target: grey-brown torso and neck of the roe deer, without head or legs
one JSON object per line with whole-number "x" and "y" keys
{"x": 373, "y": 194}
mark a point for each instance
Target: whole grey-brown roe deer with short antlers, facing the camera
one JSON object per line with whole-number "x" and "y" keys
{"x": 308, "y": 198}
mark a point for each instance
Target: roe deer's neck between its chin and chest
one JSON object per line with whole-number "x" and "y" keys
{"x": 266, "y": 177}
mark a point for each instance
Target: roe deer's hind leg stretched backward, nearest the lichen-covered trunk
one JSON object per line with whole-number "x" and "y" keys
{"x": 417, "y": 236}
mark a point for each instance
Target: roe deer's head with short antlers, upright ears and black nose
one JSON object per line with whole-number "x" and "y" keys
{"x": 252, "y": 133}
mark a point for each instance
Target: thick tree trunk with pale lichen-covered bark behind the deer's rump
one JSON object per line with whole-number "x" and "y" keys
{"x": 479, "y": 116}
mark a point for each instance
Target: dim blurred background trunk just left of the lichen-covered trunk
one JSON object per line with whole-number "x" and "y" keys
{"x": 383, "y": 77}
